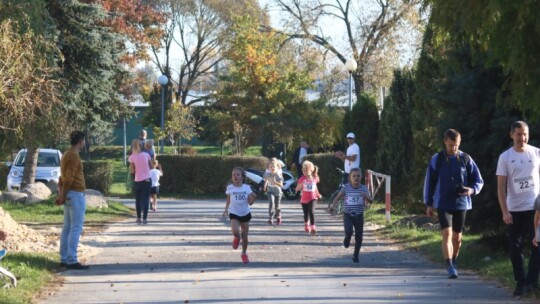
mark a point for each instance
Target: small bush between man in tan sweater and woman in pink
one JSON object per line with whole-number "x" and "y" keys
{"x": 98, "y": 175}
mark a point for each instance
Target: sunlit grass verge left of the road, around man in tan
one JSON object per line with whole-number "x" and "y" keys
{"x": 34, "y": 271}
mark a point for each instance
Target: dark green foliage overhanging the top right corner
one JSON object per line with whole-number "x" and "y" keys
{"x": 507, "y": 31}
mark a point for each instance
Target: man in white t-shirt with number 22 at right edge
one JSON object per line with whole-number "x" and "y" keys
{"x": 518, "y": 186}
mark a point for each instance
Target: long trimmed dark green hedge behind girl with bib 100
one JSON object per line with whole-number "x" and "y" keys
{"x": 202, "y": 174}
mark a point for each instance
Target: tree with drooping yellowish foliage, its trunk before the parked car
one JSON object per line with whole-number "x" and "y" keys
{"x": 29, "y": 91}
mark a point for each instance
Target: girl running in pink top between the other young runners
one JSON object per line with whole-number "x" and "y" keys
{"x": 310, "y": 194}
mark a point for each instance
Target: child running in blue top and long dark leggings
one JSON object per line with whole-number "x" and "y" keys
{"x": 354, "y": 196}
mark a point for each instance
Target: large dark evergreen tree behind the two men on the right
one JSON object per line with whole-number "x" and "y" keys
{"x": 457, "y": 89}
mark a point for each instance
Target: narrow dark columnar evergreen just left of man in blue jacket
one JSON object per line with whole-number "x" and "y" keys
{"x": 395, "y": 135}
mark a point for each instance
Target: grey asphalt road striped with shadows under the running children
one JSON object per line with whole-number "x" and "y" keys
{"x": 184, "y": 255}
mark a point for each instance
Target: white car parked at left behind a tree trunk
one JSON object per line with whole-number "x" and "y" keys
{"x": 48, "y": 168}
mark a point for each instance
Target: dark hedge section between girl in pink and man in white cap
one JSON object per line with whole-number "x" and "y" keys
{"x": 328, "y": 174}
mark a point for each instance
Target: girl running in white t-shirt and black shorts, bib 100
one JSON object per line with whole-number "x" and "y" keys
{"x": 239, "y": 198}
